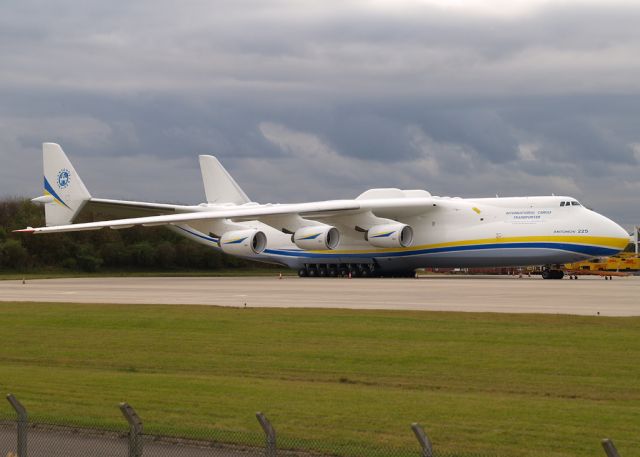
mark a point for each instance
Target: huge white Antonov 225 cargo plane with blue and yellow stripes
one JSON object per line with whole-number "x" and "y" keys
{"x": 381, "y": 232}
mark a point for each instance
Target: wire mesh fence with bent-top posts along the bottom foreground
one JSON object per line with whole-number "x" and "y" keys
{"x": 24, "y": 435}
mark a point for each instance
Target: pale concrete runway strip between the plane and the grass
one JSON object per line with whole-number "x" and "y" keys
{"x": 585, "y": 296}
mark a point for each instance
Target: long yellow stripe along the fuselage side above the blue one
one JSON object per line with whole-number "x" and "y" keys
{"x": 609, "y": 242}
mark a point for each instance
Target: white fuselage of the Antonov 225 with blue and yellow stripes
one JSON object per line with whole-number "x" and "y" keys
{"x": 460, "y": 233}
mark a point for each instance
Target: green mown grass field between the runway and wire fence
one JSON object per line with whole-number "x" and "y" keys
{"x": 488, "y": 383}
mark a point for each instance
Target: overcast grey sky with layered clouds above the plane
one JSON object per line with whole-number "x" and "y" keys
{"x": 311, "y": 100}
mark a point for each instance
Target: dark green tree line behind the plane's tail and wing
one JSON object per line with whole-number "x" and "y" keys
{"x": 137, "y": 248}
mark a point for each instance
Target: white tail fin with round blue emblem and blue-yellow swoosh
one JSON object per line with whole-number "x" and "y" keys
{"x": 65, "y": 193}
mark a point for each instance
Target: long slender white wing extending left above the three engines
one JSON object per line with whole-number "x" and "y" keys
{"x": 240, "y": 213}
